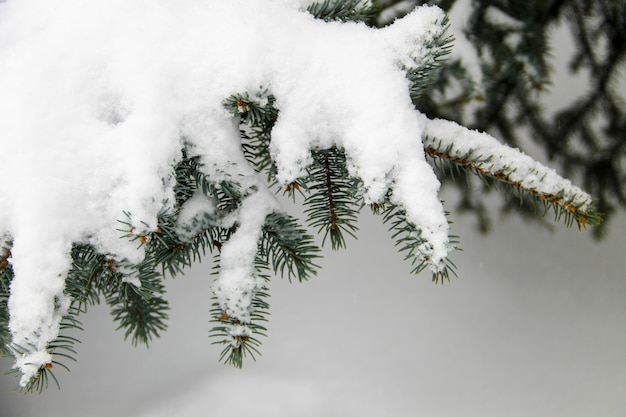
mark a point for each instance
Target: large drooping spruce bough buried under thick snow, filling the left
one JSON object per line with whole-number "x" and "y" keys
{"x": 153, "y": 145}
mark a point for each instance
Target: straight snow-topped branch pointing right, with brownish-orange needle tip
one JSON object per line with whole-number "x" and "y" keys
{"x": 485, "y": 156}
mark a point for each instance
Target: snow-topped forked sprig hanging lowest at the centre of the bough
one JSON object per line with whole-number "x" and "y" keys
{"x": 263, "y": 238}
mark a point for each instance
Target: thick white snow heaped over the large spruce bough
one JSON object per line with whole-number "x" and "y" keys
{"x": 98, "y": 98}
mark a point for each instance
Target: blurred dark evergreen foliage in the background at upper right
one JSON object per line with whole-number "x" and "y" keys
{"x": 513, "y": 41}
